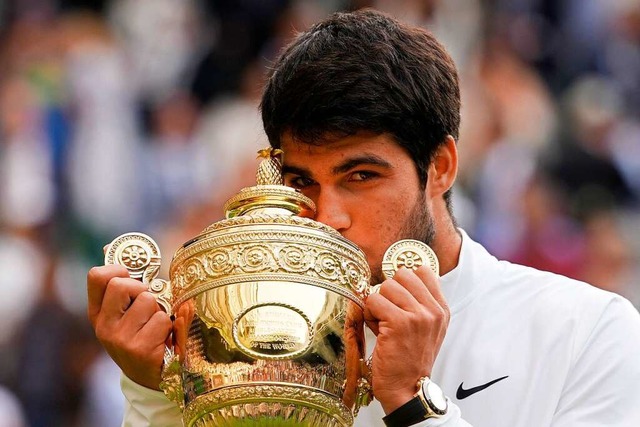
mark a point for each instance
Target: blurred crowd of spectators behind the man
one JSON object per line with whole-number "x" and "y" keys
{"x": 142, "y": 115}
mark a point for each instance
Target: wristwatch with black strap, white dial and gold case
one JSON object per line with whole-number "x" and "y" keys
{"x": 428, "y": 402}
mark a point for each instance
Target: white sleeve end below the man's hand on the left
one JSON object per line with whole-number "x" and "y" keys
{"x": 145, "y": 407}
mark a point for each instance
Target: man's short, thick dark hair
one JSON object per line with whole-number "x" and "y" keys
{"x": 365, "y": 71}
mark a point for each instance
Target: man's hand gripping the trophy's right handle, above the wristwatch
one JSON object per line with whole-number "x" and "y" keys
{"x": 410, "y": 317}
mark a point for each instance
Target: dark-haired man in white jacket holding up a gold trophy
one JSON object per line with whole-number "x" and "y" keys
{"x": 367, "y": 112}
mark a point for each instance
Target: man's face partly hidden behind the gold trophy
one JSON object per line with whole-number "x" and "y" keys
{"x": 366, "y": 187}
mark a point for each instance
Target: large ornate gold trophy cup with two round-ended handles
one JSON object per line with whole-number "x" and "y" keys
{"x": 268, "y": 311}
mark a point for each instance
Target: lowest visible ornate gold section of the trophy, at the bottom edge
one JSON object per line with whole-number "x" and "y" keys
{"x": 267, "y": 405}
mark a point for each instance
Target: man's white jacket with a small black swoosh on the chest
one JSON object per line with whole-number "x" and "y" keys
{"x": 571, "y": 353}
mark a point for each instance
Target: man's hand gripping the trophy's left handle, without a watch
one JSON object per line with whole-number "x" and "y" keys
{"x": 128, "y": 322}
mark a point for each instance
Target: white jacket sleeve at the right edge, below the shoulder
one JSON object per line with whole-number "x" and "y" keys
{"x": 603, "y": 386}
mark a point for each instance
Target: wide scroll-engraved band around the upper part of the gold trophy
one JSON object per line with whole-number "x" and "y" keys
{"x": 219, "y": 258}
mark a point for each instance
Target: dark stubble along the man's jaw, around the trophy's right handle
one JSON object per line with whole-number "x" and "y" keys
{"x": 419, "y": 225}
